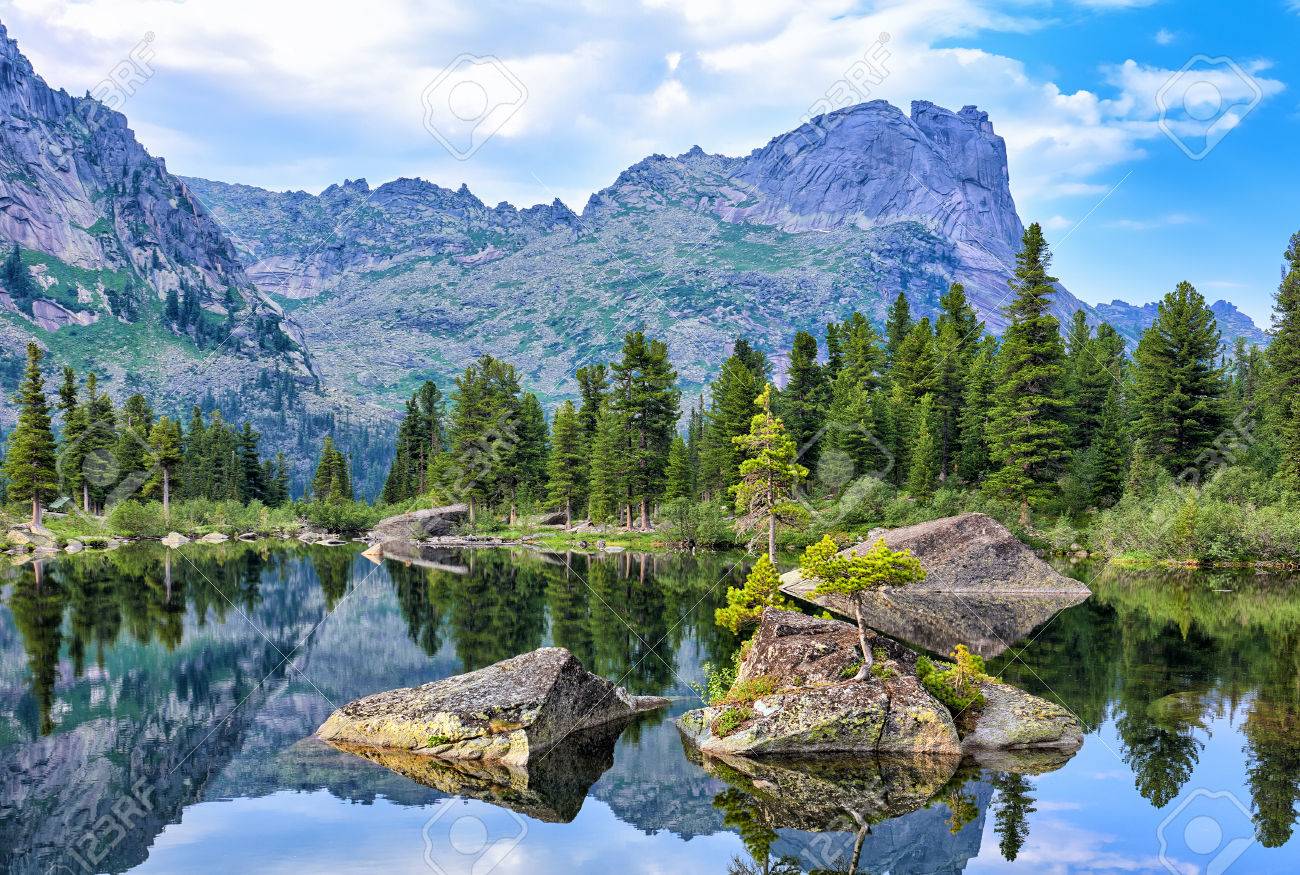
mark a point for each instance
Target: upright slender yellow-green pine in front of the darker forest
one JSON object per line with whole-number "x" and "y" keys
{"x": 769, "y": 477}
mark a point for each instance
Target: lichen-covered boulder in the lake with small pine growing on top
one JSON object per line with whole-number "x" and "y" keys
{"x": 812, "y": 708}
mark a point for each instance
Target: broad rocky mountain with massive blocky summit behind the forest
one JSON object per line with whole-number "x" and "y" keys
{"x": 410, "y": 280}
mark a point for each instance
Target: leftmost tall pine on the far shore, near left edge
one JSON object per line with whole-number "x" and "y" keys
{"x": 29, "y": 464}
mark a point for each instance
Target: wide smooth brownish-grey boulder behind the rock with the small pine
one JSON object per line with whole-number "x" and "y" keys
{"x": 972, "y": 553}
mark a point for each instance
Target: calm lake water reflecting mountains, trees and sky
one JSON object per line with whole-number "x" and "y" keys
{"x": 157, "y": 714}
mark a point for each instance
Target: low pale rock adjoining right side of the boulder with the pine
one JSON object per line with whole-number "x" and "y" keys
{"x": 1013, "y": 720}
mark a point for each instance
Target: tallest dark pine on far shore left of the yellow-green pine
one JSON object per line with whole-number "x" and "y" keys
{"x": 645, "y": 395}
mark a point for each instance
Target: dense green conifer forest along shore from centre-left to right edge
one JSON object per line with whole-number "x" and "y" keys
{"x": 1041, "y": 421}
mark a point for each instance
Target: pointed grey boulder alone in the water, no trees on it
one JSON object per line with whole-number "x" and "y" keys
{"x": 509, "y": 712}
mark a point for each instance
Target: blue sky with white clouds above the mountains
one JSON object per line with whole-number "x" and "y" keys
{"x": 1154, "y": 140}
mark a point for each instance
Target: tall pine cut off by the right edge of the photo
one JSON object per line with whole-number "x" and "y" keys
{"x": 1285, "y": 374}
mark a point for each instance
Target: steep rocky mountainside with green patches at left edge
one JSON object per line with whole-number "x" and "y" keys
{"x": 129, "y": 276}
